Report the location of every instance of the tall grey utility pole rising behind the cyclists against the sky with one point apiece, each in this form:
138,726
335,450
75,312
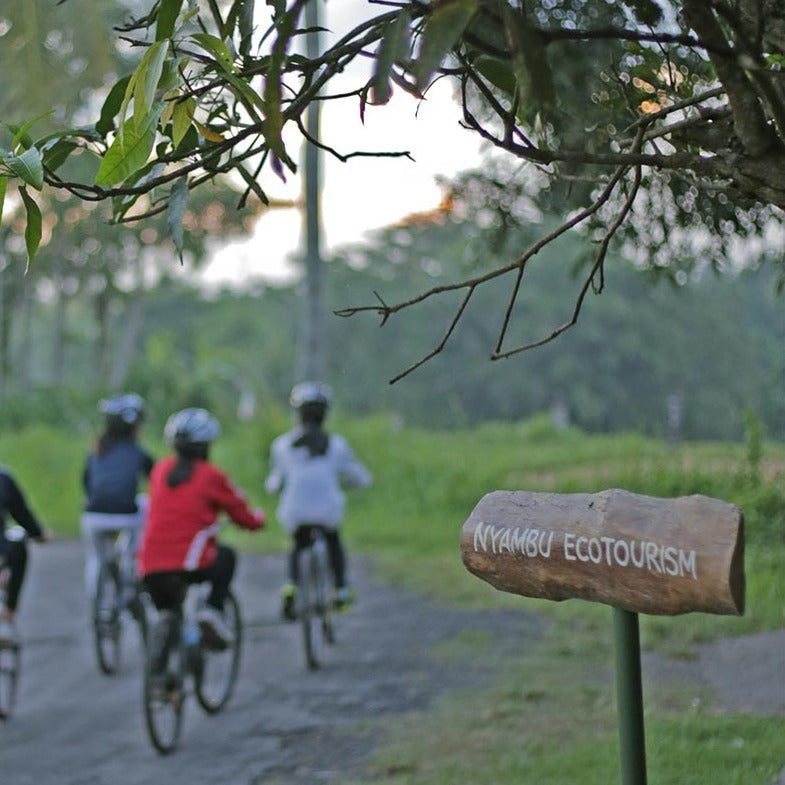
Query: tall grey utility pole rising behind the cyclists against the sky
312,348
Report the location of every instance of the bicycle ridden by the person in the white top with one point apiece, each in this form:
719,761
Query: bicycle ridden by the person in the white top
314,602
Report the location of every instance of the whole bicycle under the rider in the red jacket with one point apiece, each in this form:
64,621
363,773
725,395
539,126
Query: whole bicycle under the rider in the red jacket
190,665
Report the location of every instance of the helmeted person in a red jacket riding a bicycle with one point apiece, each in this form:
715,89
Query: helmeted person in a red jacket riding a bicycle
187,493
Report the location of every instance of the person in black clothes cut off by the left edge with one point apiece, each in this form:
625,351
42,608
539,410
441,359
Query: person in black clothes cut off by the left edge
13,552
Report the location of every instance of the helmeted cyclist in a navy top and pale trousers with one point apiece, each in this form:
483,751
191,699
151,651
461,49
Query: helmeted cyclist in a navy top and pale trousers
111,478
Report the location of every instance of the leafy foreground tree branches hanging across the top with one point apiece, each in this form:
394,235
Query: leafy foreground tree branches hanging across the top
654,122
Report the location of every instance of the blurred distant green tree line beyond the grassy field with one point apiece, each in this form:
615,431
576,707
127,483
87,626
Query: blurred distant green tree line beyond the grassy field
661,358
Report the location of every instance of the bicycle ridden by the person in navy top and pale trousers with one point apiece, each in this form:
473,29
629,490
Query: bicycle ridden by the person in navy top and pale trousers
115,592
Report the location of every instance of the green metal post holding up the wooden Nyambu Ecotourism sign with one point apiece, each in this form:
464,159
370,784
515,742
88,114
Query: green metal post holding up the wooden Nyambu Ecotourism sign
629,697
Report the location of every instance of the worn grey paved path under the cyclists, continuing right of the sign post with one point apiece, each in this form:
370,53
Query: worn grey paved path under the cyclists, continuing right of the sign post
284,725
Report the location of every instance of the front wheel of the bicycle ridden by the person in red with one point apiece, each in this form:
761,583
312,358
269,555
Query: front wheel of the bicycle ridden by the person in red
216,672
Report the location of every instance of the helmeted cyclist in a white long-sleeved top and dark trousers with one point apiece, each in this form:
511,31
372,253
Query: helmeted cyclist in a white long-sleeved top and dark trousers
307,466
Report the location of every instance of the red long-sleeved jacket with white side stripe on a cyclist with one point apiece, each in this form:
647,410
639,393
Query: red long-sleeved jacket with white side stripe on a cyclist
181,522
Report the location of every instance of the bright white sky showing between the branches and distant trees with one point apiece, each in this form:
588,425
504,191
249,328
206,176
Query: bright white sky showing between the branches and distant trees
362,194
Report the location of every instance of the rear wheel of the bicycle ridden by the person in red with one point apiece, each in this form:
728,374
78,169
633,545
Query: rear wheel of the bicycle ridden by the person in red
164,696
